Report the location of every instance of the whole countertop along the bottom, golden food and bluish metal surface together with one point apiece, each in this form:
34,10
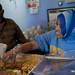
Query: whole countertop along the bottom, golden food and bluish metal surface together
33,64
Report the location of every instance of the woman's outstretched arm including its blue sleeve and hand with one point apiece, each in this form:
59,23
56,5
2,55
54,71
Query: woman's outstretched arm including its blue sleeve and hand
40,42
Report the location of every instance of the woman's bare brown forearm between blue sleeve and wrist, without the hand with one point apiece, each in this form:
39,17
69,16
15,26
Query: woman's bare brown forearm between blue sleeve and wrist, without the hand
26,47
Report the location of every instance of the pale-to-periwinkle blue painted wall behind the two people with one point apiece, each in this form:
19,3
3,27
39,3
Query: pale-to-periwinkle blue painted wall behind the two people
26,20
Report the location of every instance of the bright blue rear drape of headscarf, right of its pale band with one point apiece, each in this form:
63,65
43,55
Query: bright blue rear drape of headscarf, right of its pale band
71,23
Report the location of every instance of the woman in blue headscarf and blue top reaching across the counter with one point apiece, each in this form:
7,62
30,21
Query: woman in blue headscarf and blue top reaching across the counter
57,41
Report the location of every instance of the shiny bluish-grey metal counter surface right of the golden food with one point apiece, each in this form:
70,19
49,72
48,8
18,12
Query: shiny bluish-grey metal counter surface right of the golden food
51,67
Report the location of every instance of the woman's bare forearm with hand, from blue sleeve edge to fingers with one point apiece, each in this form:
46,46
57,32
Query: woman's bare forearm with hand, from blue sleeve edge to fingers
26,47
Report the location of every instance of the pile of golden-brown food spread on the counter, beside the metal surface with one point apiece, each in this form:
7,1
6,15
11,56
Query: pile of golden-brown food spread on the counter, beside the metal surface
22,65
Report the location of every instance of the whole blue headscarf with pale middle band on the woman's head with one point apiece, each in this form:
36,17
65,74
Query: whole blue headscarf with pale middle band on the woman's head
67,22
